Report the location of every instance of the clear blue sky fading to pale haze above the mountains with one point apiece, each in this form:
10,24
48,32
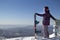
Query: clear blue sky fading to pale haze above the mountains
22,11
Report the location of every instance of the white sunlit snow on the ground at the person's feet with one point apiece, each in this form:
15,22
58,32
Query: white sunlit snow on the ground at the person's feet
51,37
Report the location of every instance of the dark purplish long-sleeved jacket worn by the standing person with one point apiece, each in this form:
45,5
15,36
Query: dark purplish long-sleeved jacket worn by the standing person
46,18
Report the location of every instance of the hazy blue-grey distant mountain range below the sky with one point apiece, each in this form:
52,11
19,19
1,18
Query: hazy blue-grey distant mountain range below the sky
21,31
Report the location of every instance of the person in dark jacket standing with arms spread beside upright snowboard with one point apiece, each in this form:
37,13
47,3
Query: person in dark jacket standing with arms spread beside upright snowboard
46,20
